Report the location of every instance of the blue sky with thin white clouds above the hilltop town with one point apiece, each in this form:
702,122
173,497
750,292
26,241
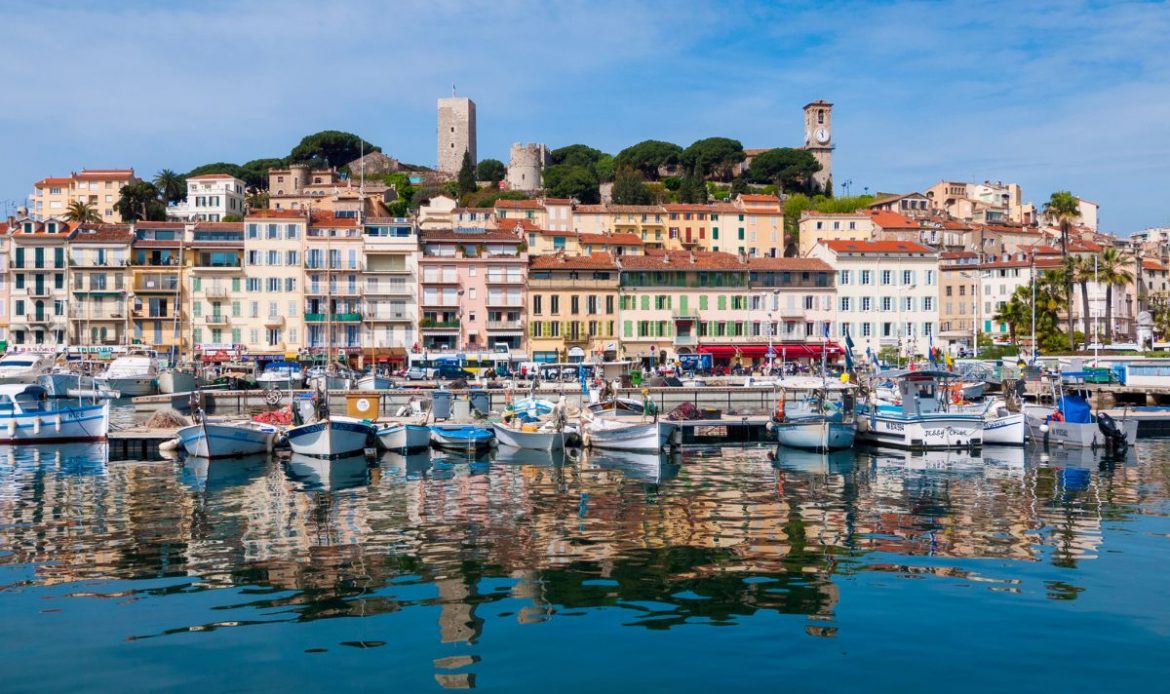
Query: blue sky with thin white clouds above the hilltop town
1051,95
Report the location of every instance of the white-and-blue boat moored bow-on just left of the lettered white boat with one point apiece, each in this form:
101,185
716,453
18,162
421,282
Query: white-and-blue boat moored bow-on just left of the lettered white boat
821,418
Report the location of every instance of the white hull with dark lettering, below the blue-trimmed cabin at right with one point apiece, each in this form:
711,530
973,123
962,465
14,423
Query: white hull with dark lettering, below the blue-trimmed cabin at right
927,432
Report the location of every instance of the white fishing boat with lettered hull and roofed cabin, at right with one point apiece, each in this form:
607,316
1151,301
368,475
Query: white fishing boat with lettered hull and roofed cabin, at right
919,415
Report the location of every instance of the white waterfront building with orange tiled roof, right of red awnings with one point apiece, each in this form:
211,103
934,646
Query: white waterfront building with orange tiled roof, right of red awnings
885,291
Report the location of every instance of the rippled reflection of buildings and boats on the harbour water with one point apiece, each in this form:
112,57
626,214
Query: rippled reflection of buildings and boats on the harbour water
706,538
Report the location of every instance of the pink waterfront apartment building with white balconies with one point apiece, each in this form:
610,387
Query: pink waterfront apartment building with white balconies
472,291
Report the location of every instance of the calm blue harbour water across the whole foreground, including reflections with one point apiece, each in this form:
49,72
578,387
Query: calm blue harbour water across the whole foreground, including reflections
720,568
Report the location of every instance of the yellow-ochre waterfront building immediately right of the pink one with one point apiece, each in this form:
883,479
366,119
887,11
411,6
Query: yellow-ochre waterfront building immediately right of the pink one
573,307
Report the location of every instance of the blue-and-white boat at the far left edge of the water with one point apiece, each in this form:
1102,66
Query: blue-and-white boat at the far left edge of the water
29,417
